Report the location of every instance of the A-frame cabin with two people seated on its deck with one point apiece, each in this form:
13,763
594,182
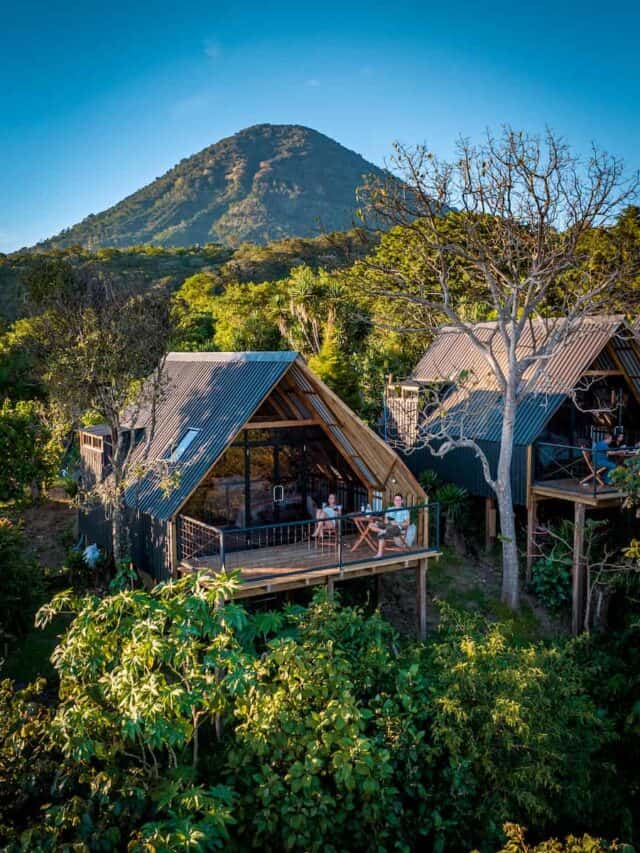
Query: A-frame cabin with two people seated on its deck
254,443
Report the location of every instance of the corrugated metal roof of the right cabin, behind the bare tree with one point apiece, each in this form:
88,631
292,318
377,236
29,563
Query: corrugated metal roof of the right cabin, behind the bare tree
478,410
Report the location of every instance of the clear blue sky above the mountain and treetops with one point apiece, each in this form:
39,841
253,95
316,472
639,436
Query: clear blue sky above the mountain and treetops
98,99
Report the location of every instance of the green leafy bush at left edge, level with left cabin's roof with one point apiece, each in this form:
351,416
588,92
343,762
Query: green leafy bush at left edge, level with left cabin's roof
29,455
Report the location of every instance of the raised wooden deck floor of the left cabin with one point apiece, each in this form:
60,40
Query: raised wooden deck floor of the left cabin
271,569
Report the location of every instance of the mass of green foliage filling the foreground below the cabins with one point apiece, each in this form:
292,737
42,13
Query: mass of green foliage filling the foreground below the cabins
186,723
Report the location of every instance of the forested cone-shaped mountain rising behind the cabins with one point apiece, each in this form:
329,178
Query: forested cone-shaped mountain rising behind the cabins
264,183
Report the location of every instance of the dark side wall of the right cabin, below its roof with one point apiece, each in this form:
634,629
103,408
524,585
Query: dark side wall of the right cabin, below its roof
463,468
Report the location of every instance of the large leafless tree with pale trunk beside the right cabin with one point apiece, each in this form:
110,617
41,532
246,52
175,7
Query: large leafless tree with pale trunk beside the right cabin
502,227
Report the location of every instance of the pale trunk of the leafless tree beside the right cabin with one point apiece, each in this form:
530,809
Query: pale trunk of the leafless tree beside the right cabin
510,565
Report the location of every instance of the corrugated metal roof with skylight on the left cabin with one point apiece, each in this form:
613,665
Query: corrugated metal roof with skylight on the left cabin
215,393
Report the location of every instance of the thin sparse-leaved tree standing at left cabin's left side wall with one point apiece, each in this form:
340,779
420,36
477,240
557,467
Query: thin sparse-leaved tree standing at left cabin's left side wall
106,341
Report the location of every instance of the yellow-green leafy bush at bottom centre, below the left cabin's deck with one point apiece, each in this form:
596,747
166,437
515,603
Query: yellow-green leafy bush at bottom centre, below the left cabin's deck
312,764
